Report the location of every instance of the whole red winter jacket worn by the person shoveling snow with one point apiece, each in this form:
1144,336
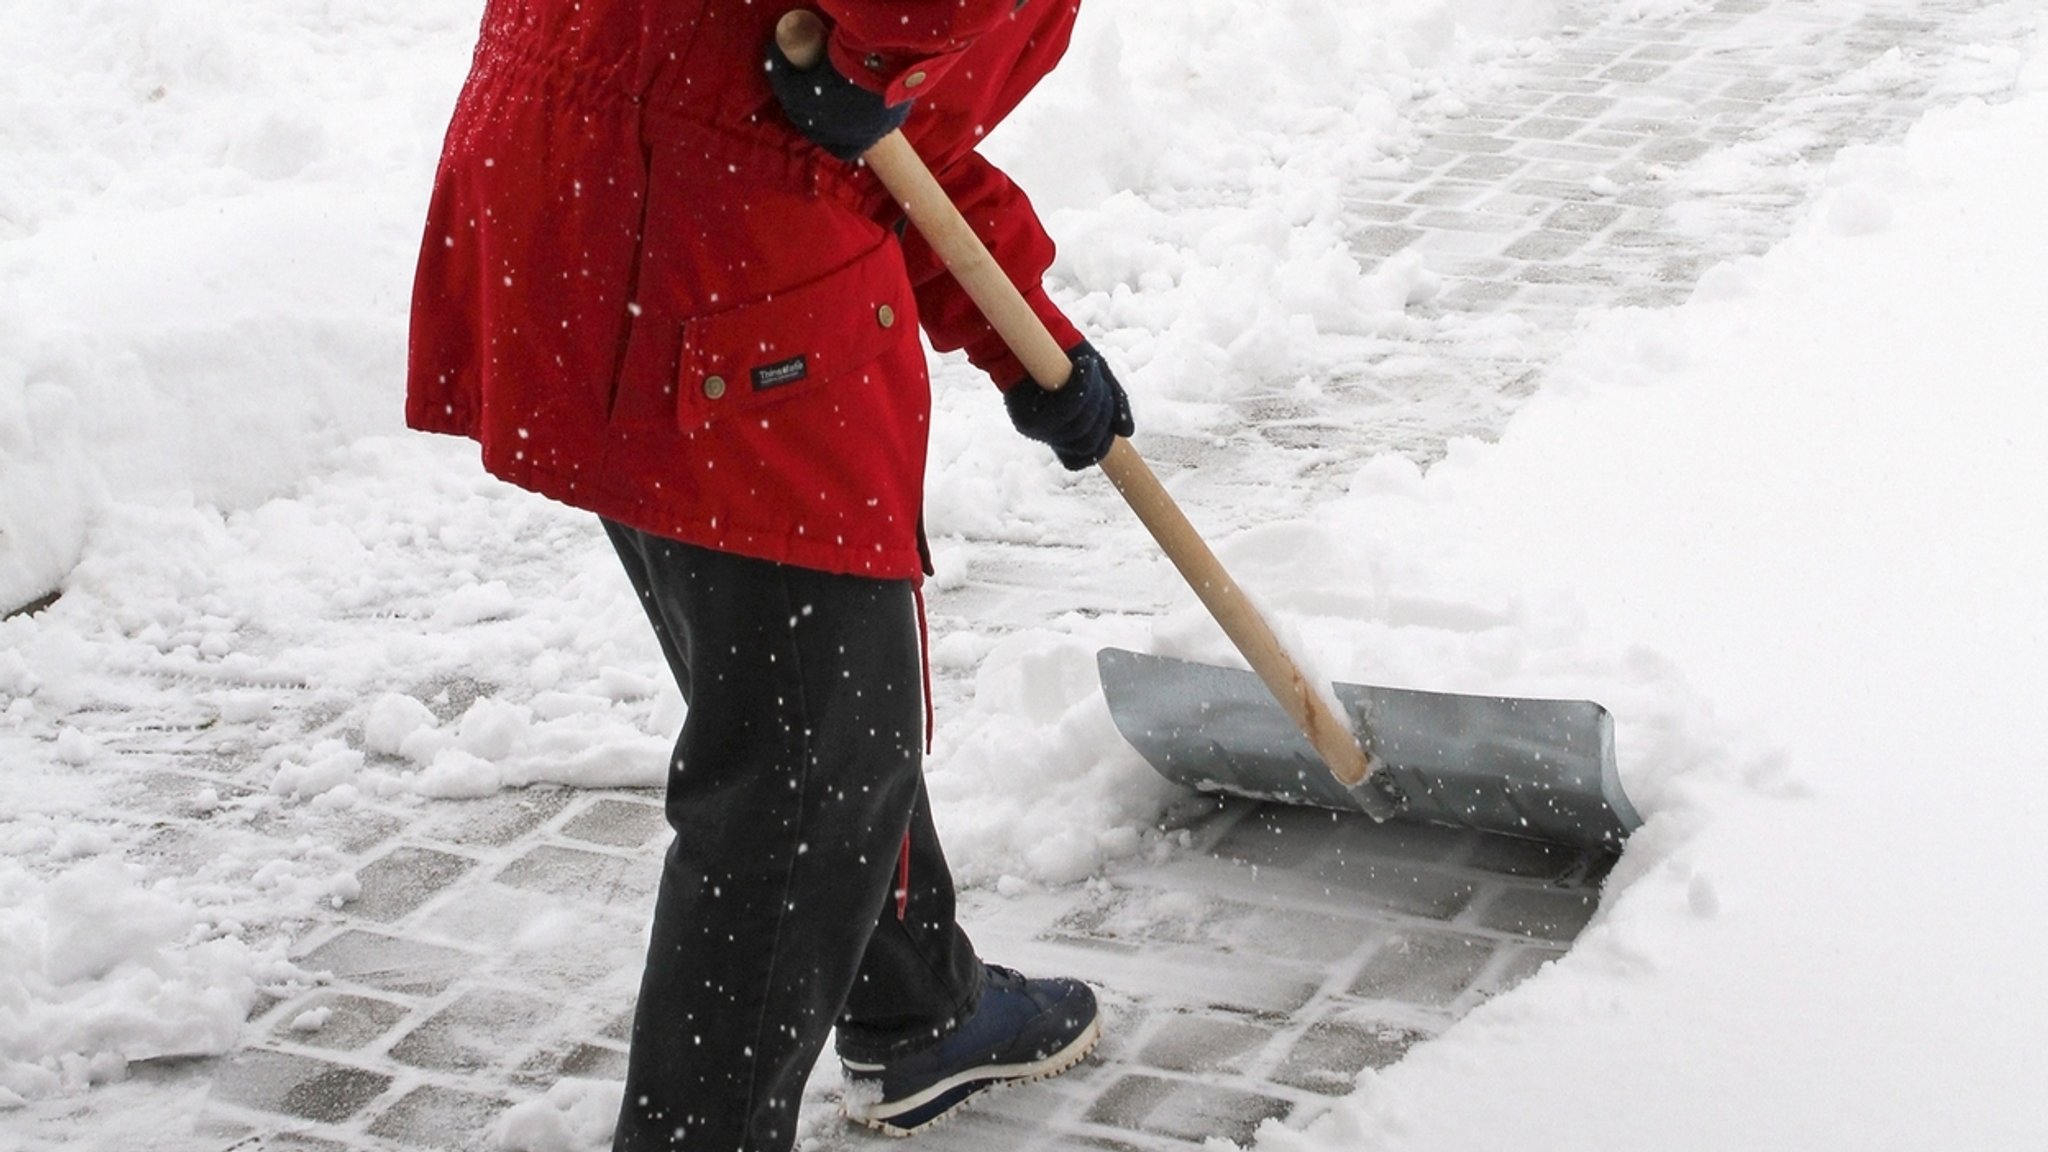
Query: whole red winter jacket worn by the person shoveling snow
648,296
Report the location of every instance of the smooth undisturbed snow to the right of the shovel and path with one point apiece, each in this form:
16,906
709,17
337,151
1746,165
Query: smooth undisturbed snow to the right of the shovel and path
1820,493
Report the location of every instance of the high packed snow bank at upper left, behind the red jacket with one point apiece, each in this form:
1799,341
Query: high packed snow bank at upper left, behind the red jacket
208,222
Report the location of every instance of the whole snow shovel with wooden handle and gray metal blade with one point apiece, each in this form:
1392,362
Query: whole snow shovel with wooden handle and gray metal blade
1248,743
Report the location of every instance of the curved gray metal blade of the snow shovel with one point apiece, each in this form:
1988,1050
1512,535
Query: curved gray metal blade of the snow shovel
1521,768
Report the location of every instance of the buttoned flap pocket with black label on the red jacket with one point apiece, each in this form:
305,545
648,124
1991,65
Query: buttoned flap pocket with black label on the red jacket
796,341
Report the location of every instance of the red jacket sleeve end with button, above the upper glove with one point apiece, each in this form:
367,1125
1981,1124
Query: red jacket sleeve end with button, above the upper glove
902,48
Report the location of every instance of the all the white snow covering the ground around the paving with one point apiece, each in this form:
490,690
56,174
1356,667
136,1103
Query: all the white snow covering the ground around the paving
1793,534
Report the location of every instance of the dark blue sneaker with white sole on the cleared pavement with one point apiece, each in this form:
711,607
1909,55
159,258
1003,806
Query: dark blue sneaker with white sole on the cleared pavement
1023,1030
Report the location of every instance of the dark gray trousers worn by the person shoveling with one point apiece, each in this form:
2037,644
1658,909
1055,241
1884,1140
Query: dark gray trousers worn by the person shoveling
792,792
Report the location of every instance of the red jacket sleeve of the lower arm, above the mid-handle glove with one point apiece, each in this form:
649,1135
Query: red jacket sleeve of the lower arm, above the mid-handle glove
1005,220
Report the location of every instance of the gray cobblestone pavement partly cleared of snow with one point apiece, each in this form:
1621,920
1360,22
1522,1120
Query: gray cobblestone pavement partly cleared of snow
1252,973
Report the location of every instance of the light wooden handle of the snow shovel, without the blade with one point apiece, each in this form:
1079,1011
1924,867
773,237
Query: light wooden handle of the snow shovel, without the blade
931,210
